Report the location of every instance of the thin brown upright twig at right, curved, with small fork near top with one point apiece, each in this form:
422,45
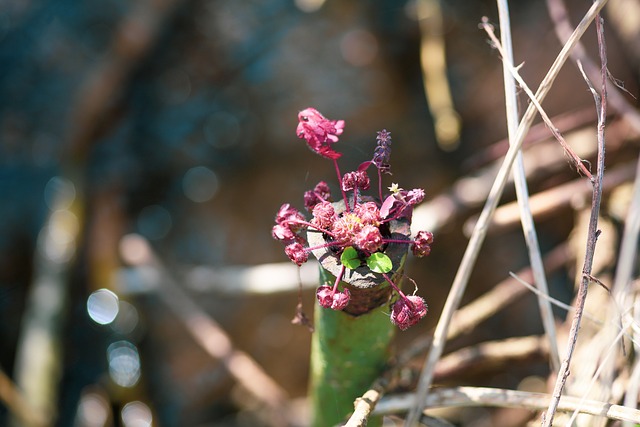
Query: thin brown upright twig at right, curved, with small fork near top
592,237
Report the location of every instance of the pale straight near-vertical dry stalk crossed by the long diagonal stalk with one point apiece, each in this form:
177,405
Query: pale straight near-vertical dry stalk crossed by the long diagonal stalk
522,191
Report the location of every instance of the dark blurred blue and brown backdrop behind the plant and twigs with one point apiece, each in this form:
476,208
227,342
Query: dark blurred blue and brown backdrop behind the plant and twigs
161,133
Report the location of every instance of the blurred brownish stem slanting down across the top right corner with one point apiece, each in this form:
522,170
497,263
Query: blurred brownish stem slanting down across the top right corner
560,17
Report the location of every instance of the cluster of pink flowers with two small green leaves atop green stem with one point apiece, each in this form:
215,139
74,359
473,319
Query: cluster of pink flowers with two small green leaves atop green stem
356,230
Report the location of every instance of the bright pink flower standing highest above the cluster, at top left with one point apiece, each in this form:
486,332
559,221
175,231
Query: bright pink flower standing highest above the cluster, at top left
319,132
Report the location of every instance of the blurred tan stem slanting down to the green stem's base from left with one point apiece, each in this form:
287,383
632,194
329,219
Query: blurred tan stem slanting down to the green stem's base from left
215,341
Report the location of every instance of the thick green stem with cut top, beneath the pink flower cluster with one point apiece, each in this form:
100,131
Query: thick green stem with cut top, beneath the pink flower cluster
350,348
